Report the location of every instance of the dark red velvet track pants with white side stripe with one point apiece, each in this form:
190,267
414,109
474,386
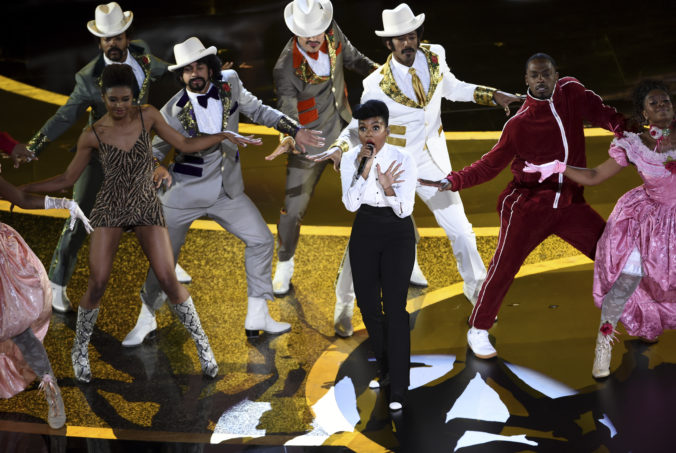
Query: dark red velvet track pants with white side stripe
524,224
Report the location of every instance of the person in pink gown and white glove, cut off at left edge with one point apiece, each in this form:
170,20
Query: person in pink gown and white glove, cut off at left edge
25,300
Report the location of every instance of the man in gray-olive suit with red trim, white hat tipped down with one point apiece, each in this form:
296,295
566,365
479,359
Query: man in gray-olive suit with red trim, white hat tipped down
310,87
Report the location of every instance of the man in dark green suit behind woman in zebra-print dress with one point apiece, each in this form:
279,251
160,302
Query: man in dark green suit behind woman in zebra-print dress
110,26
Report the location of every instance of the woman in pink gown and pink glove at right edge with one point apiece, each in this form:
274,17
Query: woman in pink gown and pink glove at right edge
635,264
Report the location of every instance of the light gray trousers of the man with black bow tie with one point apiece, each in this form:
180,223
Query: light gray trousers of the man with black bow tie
238,216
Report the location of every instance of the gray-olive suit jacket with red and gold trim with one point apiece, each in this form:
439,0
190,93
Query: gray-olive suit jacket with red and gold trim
319,103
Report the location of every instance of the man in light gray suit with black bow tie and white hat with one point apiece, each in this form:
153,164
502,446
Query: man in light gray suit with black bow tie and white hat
209,183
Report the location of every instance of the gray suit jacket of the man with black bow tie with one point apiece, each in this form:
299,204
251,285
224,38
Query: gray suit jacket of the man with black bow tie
198,178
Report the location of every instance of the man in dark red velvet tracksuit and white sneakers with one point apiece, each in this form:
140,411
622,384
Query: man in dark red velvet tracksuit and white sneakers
548,126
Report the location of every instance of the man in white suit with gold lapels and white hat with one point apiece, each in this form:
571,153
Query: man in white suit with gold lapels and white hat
412,83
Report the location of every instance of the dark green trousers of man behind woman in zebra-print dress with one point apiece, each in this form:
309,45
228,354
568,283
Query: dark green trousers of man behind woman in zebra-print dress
84,192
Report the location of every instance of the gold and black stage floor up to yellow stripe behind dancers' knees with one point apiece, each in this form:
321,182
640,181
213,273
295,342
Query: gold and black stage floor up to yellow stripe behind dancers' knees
309,388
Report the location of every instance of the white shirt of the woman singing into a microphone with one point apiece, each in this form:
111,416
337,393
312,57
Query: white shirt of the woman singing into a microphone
358,191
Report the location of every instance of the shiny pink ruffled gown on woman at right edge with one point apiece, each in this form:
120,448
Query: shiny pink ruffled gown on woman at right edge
643,218
